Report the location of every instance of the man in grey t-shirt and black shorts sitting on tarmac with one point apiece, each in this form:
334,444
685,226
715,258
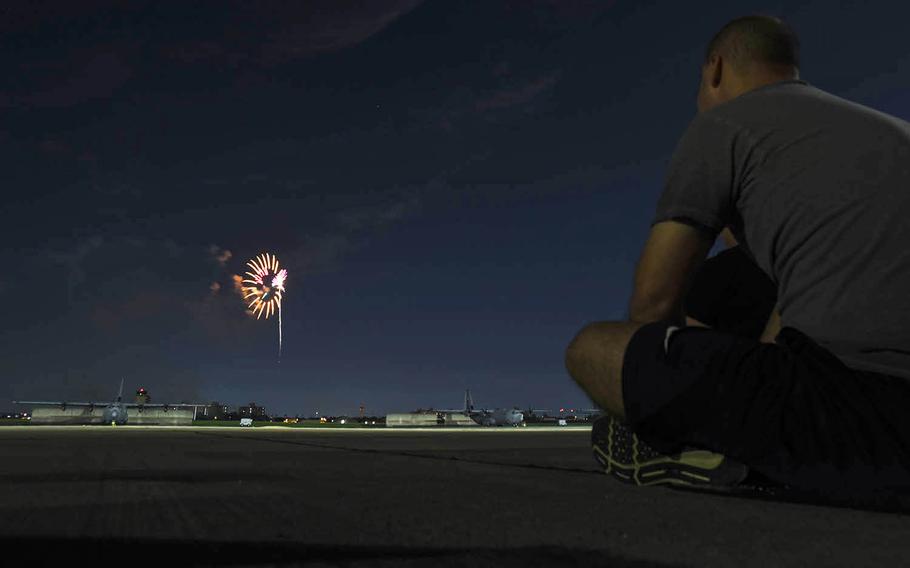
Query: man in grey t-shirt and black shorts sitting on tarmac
816,191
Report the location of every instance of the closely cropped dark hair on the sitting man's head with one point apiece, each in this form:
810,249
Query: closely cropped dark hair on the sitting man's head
756,39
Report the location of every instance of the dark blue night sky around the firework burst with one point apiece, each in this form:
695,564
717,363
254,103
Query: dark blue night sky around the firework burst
455,187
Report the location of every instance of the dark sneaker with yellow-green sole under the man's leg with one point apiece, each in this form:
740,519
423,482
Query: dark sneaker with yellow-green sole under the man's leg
627,458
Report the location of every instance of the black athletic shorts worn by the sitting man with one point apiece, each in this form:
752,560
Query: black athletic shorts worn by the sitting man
791,410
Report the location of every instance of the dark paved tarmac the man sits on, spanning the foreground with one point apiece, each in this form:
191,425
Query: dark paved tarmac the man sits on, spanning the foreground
500,497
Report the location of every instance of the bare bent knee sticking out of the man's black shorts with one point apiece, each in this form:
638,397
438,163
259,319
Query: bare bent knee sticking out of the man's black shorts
594,359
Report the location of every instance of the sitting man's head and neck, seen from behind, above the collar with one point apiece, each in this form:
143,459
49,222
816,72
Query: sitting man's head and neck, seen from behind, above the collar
745,54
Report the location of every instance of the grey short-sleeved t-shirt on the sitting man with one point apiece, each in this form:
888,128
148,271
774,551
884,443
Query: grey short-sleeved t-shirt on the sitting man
817,190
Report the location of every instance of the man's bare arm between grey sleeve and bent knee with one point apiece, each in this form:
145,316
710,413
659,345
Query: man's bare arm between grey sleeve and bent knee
672,255
